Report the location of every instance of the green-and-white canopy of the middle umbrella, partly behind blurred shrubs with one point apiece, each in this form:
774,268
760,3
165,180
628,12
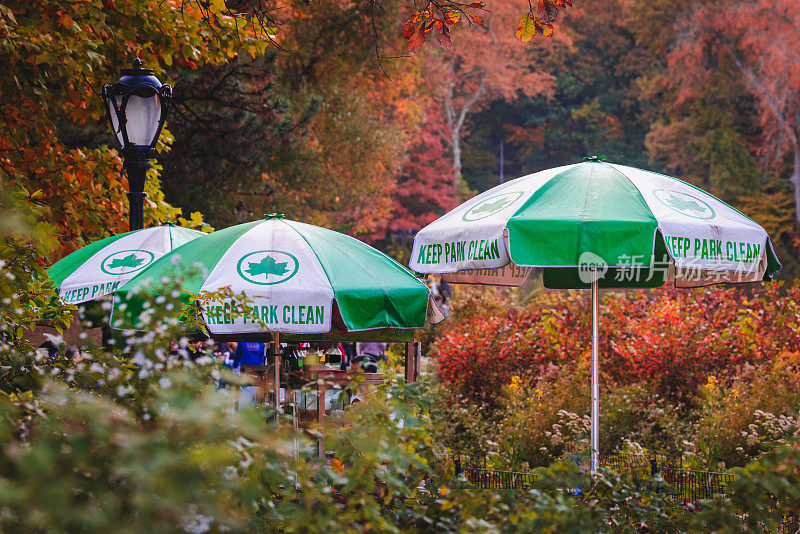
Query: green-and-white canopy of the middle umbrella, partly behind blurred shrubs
301,279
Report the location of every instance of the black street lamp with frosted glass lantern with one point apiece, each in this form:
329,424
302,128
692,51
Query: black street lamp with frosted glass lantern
137,105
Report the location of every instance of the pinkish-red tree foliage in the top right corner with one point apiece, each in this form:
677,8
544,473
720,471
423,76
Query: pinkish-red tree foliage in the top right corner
759,39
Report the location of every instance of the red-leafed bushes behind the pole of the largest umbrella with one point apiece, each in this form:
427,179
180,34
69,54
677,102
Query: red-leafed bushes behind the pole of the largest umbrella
671,340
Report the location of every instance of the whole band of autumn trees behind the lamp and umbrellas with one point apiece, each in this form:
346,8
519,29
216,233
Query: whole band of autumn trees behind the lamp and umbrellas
319,110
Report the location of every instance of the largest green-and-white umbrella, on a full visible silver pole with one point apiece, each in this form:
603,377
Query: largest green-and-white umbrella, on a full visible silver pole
596,224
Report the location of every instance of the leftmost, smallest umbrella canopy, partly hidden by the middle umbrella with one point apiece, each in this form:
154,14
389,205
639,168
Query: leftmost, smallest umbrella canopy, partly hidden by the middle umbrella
102,267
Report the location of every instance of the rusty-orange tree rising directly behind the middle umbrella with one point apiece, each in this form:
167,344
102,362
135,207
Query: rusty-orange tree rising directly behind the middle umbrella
343,164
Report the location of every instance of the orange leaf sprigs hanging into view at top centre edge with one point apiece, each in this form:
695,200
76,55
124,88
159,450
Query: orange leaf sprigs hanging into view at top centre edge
441,15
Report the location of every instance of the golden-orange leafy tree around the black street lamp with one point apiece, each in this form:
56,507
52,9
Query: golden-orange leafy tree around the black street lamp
55,57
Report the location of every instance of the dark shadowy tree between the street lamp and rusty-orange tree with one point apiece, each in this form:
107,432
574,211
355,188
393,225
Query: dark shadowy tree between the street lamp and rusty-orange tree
228,121
